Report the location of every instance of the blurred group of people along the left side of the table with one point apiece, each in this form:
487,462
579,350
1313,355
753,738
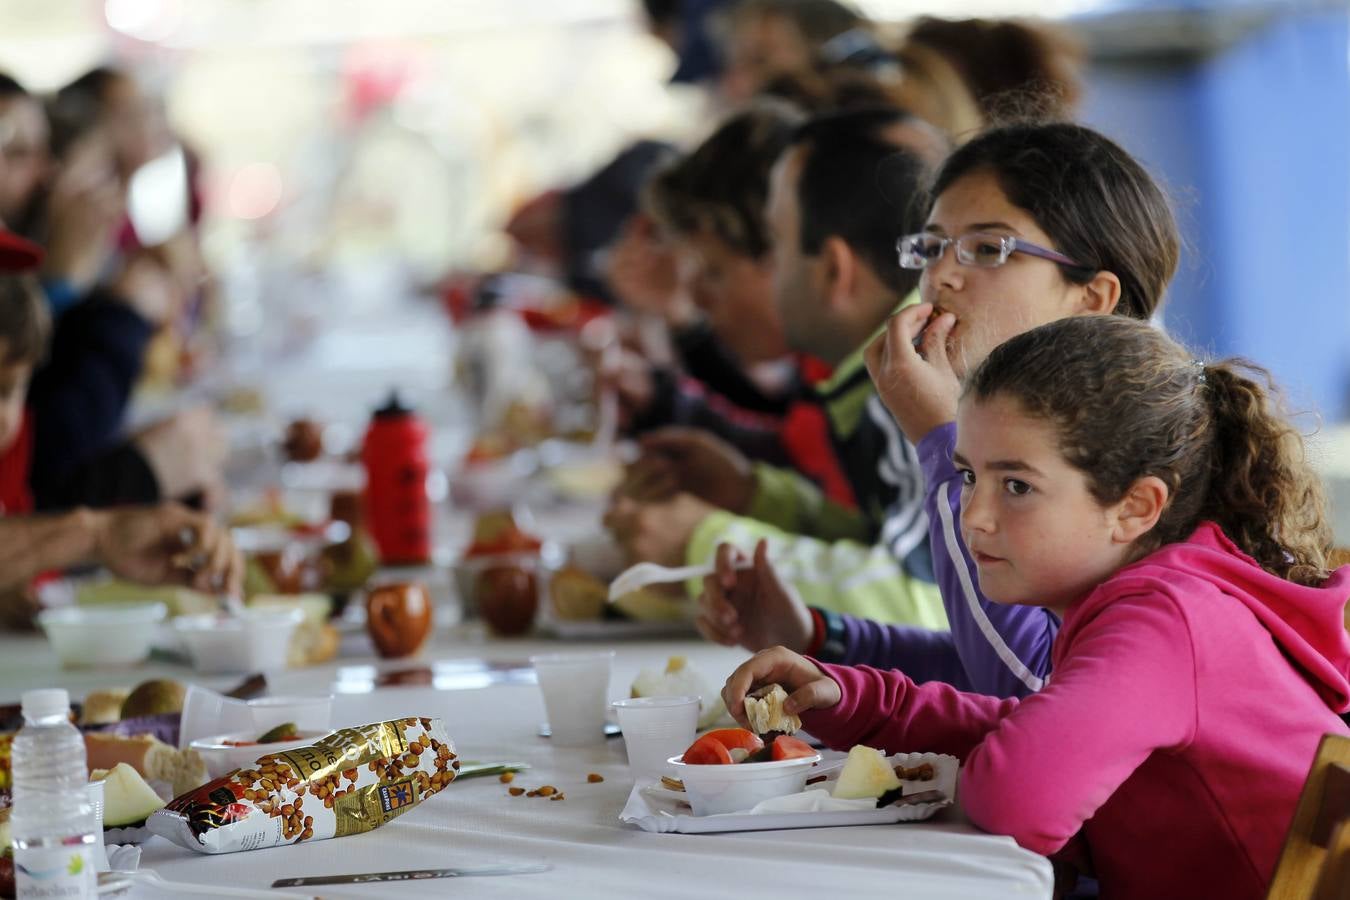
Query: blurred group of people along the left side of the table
103,289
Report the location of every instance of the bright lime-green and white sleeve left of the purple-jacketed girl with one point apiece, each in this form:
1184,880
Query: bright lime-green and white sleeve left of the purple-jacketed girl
844,577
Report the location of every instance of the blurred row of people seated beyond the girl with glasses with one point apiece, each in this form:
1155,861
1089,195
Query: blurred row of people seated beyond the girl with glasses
750,272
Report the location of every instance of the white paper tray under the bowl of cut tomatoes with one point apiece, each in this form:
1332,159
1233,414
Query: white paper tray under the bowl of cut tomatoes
661,812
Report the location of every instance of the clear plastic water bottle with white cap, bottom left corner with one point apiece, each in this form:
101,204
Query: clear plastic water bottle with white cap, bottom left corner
52,824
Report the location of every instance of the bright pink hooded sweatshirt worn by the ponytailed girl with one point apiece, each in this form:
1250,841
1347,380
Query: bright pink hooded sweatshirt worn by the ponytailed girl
1187,701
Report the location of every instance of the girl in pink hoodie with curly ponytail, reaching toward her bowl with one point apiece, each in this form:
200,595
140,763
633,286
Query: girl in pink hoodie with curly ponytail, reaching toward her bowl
1166,512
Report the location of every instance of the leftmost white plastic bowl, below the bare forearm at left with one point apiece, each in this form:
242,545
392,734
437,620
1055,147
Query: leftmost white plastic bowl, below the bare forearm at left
103,636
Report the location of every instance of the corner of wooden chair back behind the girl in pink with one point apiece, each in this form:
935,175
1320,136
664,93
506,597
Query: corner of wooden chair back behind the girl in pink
1316,860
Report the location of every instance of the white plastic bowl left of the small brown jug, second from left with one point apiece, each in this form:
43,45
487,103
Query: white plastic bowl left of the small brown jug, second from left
253,642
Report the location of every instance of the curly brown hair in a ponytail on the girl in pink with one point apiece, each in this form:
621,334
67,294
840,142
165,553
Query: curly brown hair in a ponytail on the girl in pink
1129,403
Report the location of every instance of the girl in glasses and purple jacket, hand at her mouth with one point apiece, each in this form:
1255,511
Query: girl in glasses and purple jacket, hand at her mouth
1029,225
